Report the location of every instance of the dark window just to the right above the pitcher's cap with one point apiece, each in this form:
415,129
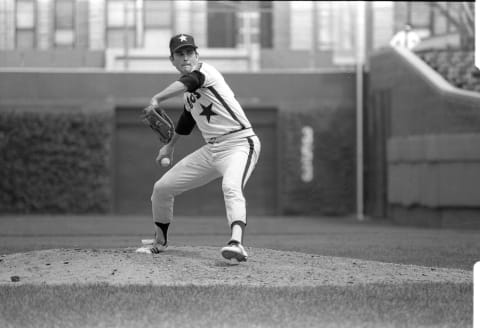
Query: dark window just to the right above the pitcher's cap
221,24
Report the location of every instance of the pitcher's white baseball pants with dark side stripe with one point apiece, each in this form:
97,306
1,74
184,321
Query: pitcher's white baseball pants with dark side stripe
233,159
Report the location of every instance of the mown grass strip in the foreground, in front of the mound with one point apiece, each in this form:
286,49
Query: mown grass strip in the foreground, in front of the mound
101,305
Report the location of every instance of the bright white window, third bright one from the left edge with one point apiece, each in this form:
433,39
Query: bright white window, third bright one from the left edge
121,24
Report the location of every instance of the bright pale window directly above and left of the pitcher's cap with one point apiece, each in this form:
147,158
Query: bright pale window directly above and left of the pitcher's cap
157,17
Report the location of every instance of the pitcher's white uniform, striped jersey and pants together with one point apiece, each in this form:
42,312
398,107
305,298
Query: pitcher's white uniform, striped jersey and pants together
231,150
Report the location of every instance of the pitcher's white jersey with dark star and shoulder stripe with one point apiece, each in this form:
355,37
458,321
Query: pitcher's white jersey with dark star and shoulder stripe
213,105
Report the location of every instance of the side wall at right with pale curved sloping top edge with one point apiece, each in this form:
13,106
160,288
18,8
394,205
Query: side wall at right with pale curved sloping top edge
431,135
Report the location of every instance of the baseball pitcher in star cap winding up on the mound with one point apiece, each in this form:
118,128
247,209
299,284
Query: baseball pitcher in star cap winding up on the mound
230,152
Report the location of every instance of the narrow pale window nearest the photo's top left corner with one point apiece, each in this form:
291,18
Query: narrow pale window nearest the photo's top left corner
25,24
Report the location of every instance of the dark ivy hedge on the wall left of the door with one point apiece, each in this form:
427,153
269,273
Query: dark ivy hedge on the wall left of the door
55,159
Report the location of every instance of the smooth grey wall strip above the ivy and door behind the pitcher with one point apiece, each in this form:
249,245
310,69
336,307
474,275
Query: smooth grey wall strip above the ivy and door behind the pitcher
283,90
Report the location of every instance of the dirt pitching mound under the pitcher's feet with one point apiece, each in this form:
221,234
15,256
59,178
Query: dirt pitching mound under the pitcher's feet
185,265
